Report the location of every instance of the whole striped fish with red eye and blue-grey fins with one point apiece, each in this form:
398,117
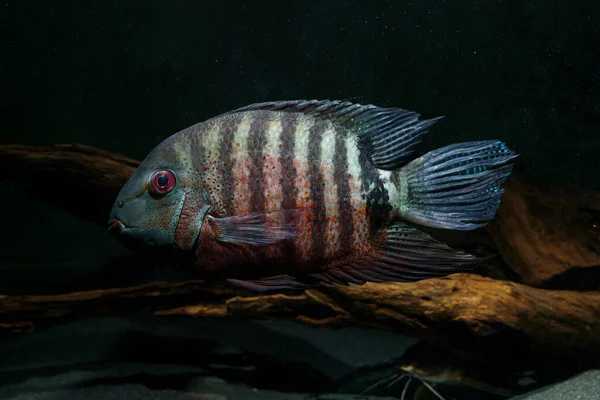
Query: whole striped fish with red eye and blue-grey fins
301,193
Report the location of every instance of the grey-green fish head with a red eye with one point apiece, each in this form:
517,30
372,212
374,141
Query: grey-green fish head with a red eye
162,205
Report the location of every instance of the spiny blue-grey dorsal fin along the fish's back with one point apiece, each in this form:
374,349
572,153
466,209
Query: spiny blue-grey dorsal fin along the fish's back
387,135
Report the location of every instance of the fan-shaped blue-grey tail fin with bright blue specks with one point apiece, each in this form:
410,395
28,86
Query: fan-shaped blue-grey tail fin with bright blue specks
457,186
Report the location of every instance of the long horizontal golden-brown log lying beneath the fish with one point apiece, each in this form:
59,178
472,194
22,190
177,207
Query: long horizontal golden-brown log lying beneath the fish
457,312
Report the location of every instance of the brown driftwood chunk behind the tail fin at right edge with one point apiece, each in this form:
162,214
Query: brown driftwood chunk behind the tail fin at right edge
541,233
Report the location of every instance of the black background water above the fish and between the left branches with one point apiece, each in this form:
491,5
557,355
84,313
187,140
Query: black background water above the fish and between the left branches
123,75
